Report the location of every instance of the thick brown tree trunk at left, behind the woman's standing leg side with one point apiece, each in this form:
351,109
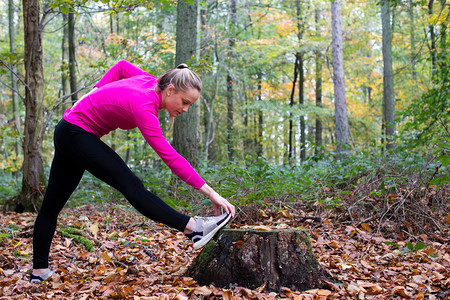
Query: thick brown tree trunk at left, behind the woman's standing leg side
32,181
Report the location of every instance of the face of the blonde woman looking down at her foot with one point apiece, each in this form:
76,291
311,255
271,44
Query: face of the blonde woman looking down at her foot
178,102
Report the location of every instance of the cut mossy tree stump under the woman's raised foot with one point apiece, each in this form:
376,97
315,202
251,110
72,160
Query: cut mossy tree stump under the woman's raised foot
251,258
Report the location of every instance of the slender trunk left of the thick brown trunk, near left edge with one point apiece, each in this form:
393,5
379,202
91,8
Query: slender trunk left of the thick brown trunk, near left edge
12,49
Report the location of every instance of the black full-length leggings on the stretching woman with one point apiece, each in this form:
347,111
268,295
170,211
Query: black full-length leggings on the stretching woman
76,150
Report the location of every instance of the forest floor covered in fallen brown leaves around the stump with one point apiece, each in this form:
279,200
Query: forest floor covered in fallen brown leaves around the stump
134,258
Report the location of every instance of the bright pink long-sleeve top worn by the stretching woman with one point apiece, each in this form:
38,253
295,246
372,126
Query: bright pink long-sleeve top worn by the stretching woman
126,99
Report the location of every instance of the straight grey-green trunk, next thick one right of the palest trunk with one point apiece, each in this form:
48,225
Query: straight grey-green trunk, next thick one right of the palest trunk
388,76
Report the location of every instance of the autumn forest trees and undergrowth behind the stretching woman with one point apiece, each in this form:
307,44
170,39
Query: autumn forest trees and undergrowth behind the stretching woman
266,125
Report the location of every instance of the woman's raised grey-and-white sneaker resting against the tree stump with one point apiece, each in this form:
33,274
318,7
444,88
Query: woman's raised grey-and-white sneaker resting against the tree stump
206,228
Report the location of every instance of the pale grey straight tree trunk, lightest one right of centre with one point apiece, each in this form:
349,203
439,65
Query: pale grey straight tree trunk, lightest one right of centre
340,105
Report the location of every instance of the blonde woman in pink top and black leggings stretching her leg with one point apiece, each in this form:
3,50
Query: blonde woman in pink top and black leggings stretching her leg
126,97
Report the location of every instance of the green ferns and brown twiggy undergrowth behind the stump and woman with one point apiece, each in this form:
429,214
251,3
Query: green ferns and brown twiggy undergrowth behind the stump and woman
396,192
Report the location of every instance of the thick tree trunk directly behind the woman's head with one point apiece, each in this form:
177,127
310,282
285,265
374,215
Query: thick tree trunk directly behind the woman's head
185,130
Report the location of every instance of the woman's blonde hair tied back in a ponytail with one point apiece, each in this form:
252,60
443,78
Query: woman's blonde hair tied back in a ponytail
181,77
